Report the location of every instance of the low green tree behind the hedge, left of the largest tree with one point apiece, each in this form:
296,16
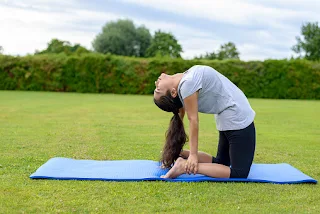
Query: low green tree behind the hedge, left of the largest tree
56,46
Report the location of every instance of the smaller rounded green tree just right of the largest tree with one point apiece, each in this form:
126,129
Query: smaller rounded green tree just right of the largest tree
164,44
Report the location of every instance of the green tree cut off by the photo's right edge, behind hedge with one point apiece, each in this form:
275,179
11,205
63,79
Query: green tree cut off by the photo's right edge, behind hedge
309,44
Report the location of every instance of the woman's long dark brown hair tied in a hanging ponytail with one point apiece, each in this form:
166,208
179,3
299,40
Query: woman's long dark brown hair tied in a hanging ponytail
175,136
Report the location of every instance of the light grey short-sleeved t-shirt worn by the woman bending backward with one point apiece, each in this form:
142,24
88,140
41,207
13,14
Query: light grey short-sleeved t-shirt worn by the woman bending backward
218,96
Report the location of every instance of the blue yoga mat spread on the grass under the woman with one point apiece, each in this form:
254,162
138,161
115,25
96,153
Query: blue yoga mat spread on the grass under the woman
147,170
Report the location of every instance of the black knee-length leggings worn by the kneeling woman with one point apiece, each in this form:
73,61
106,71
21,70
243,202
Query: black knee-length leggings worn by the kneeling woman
236,149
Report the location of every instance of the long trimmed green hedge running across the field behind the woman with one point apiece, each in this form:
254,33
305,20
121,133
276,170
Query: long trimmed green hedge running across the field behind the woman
96,73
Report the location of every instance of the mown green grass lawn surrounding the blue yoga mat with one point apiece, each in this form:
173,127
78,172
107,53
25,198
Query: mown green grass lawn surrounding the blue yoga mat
36,126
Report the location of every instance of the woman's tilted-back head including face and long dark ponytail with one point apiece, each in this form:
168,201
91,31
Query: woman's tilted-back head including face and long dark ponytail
167,99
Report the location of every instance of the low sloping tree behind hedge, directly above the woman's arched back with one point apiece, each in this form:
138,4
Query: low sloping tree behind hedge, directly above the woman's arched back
226,51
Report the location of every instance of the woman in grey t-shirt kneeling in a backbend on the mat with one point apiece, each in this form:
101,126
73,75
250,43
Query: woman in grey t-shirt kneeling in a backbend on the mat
203,89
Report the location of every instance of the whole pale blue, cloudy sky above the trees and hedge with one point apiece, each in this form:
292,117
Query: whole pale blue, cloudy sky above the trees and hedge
260,29
